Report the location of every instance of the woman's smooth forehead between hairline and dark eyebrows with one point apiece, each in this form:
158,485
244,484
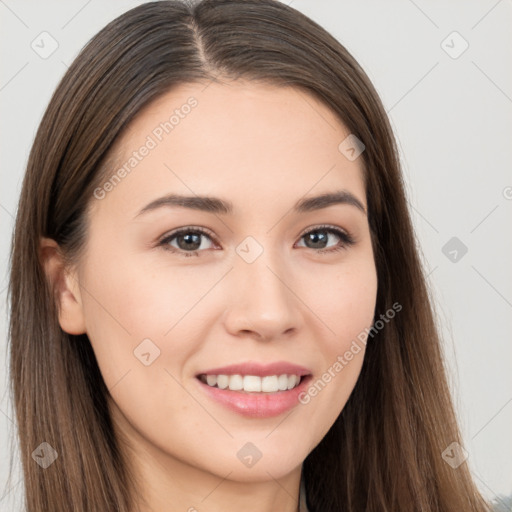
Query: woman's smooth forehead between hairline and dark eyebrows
246,140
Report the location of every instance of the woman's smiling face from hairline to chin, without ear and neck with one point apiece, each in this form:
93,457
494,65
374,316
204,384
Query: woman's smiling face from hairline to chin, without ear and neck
253,287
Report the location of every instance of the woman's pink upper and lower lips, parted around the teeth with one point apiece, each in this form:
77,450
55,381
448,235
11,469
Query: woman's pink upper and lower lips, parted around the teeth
257,405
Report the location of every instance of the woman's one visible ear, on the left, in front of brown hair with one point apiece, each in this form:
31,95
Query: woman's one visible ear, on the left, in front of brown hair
65,285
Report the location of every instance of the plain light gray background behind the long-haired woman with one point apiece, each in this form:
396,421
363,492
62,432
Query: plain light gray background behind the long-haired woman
452,118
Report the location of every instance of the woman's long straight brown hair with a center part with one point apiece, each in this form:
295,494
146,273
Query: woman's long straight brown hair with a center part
384,451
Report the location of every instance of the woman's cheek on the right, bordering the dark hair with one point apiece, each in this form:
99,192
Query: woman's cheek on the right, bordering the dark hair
345,304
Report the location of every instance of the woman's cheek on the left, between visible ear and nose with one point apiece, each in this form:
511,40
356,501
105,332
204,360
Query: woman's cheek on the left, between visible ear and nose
131,300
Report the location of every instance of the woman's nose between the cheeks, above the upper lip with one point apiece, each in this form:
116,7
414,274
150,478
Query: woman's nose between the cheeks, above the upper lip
261,301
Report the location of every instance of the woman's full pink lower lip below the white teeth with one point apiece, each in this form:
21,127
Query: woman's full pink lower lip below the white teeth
257,405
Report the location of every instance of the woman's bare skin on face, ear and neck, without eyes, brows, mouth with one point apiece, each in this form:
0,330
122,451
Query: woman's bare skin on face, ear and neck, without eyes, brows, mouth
263,148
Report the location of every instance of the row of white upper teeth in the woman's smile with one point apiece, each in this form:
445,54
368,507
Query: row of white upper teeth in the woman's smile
252,383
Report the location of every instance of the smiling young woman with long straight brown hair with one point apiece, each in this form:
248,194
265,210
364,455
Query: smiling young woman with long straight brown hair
269,371
